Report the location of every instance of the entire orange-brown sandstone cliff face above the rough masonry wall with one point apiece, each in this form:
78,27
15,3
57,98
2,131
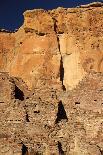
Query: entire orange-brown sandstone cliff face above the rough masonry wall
34,52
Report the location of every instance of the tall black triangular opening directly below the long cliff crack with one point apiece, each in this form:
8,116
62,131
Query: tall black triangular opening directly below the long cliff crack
61,113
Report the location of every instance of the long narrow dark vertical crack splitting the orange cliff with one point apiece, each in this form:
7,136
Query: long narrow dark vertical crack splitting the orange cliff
61,61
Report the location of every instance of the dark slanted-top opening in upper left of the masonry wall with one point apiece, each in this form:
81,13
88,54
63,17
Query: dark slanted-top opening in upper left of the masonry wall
18,94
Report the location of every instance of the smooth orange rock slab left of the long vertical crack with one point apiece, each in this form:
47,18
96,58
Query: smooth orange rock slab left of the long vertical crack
38,59
